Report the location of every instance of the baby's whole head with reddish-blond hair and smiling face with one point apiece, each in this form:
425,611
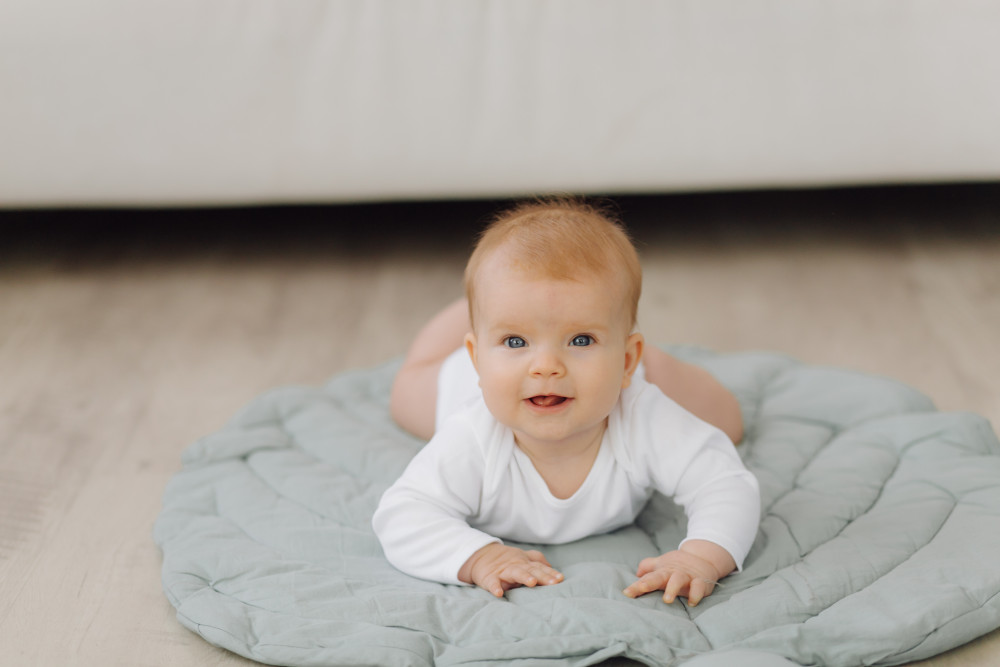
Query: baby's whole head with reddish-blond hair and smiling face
553,288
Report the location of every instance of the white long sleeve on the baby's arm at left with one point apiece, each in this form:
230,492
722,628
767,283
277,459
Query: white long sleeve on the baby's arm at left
422,519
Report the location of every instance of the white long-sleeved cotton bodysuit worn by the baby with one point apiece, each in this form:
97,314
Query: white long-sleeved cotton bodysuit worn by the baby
471,484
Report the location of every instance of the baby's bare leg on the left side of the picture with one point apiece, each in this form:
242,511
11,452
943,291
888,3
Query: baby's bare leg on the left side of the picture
413,400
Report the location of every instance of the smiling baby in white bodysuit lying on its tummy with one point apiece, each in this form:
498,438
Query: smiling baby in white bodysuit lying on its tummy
563,437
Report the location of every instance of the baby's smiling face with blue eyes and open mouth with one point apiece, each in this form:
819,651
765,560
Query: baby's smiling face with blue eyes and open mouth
552,355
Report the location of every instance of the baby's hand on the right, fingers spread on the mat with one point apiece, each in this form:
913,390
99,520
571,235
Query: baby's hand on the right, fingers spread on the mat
691,573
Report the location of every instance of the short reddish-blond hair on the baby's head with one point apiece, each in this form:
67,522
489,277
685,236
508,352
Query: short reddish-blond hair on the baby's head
561,238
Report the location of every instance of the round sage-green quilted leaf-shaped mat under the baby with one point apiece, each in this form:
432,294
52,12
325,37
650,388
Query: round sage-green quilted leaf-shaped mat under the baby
879,539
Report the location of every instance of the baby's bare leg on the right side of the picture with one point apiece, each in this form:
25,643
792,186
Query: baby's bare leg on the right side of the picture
696,390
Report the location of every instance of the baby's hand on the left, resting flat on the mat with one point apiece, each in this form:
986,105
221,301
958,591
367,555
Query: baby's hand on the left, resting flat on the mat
498,568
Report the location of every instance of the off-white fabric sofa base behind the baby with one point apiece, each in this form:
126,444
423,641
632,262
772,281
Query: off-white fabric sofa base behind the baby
195,102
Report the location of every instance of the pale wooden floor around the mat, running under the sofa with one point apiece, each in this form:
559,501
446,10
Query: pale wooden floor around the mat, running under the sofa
124,336
